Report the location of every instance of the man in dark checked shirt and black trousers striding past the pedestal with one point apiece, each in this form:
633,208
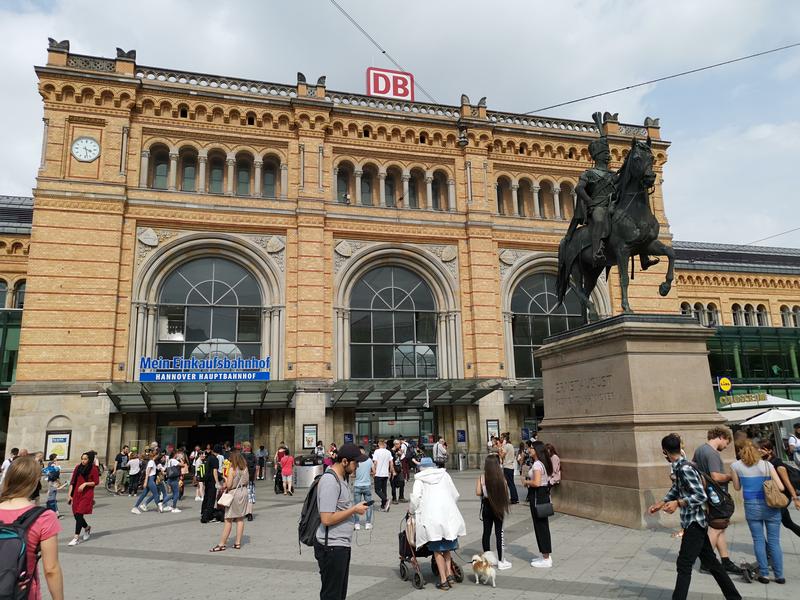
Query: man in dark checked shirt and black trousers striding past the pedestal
688,494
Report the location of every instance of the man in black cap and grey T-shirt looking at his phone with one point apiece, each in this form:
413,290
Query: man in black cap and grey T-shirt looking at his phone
335,533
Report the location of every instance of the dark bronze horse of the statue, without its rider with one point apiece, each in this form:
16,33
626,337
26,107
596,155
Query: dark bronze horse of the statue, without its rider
634,230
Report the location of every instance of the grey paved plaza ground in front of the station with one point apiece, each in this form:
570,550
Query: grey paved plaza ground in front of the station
166,556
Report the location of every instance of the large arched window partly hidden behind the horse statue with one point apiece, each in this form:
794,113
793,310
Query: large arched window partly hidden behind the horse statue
536,315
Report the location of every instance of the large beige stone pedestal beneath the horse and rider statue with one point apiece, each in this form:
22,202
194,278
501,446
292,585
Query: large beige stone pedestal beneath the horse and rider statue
612,390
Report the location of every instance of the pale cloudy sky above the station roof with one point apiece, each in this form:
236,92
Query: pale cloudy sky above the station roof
735,131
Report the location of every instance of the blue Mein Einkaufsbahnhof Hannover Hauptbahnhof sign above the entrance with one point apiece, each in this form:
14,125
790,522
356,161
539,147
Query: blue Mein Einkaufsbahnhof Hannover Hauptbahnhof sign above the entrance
179,369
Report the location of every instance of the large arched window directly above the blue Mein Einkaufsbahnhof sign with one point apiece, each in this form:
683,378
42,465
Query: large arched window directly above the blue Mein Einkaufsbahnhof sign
208,308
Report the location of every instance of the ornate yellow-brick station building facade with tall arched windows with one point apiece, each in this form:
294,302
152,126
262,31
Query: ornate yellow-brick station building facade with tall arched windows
394,261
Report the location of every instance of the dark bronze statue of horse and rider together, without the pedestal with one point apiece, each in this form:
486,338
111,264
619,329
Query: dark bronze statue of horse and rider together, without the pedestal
612,223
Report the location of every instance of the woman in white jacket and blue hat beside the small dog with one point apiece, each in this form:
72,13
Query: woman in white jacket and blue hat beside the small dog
437,518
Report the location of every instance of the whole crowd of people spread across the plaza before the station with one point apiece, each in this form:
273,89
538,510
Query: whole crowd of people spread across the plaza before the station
224,479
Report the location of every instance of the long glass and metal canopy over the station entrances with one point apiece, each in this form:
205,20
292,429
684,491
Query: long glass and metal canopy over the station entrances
355,393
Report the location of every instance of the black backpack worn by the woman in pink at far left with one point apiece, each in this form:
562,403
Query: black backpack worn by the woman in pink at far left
15,581
